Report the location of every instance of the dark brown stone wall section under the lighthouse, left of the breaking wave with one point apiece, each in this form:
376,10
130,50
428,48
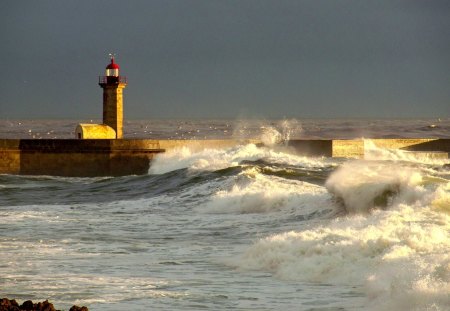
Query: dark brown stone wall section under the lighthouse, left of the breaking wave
80,158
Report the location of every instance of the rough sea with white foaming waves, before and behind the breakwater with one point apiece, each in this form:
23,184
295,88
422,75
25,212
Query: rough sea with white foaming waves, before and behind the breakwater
243,228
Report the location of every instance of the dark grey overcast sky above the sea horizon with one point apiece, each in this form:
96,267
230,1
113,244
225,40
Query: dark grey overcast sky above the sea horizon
227,58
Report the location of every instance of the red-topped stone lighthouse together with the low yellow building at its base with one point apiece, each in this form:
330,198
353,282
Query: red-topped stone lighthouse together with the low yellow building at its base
112,84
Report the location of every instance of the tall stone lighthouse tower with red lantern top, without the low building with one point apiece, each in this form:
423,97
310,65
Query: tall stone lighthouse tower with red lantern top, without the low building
113,84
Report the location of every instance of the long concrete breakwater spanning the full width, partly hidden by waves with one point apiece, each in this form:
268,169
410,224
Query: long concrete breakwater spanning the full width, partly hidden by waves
118,157
